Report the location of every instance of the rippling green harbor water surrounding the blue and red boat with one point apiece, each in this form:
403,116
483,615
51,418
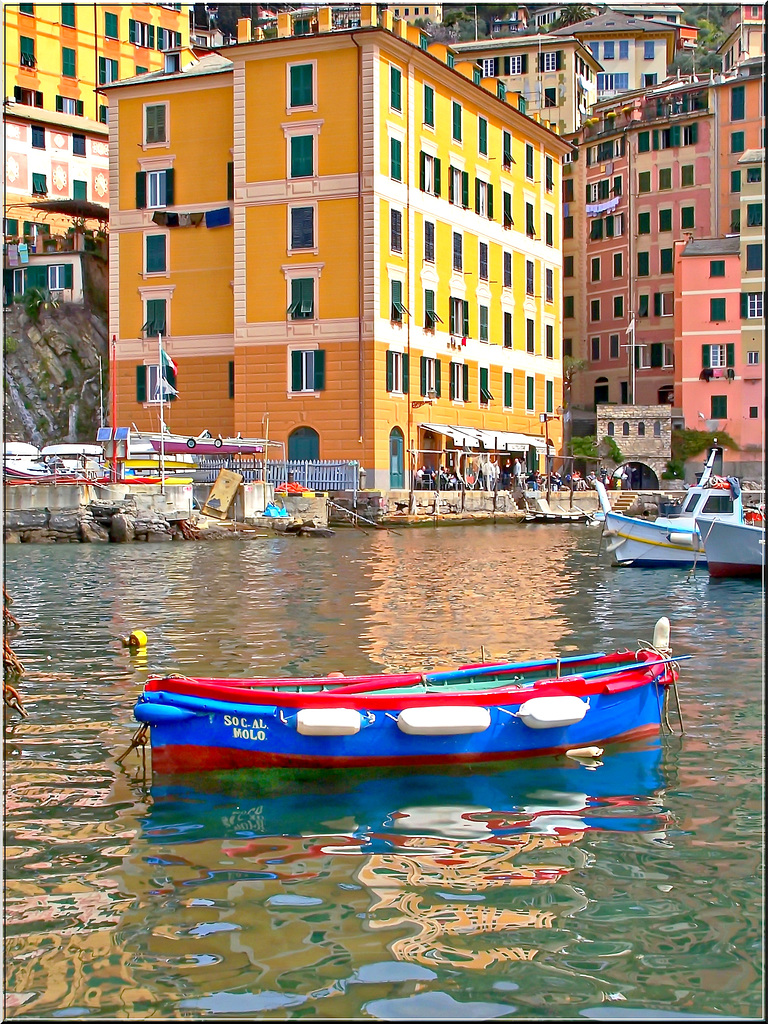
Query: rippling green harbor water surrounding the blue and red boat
629,888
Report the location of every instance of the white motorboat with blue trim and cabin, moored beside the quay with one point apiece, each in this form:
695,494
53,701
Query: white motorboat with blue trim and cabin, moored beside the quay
673,540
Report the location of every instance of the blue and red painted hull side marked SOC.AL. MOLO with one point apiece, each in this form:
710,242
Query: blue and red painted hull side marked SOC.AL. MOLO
192,734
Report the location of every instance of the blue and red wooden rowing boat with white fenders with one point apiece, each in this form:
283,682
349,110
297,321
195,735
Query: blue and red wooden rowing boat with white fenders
478,713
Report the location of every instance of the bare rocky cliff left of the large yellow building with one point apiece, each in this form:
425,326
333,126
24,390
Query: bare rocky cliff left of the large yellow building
56,373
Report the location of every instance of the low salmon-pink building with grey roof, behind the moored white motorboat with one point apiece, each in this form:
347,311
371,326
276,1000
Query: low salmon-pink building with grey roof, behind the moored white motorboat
713,385
